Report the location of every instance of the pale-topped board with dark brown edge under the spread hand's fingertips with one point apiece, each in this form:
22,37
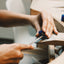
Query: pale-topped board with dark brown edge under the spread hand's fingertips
54,40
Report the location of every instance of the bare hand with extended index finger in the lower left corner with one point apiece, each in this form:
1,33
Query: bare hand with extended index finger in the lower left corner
11,53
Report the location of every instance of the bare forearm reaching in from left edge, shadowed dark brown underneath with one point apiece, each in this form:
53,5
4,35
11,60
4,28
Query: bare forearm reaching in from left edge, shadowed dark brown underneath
9,19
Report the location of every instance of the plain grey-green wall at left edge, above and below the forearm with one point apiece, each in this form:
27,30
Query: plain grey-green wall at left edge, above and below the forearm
5,32
